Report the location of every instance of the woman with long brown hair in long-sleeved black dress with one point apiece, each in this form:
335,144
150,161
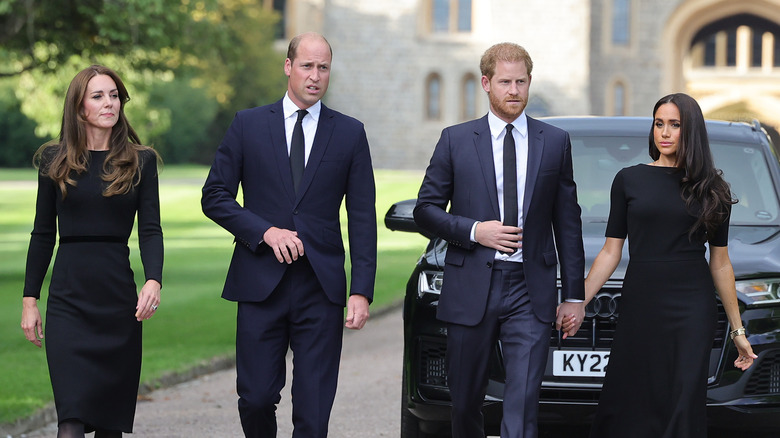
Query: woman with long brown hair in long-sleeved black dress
91,184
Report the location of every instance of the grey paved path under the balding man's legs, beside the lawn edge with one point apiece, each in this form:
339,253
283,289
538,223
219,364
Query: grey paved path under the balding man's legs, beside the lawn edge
367,402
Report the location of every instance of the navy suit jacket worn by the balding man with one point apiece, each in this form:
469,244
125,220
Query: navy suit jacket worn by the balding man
254,154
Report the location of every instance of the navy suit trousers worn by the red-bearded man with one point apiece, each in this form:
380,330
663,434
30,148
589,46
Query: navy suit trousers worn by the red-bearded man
524,338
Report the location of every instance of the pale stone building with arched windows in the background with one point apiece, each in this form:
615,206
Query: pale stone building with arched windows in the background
408,68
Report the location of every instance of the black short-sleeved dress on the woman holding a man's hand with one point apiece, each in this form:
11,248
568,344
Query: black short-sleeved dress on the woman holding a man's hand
656,383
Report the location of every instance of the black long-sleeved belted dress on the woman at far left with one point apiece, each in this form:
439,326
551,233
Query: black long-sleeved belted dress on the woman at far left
92,338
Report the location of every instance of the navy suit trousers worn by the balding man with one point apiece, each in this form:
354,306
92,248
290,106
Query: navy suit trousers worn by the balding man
297,315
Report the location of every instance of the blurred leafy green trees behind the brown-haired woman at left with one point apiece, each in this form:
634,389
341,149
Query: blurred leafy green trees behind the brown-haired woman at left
219,53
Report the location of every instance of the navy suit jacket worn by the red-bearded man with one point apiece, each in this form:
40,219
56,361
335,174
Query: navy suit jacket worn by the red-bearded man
461,174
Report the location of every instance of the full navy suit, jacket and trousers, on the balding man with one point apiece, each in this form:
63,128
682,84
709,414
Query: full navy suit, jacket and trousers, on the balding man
301,304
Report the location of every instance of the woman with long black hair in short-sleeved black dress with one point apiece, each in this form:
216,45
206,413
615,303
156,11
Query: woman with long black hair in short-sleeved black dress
656,383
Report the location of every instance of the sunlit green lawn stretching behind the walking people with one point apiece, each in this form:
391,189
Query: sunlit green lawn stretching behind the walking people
193,323
